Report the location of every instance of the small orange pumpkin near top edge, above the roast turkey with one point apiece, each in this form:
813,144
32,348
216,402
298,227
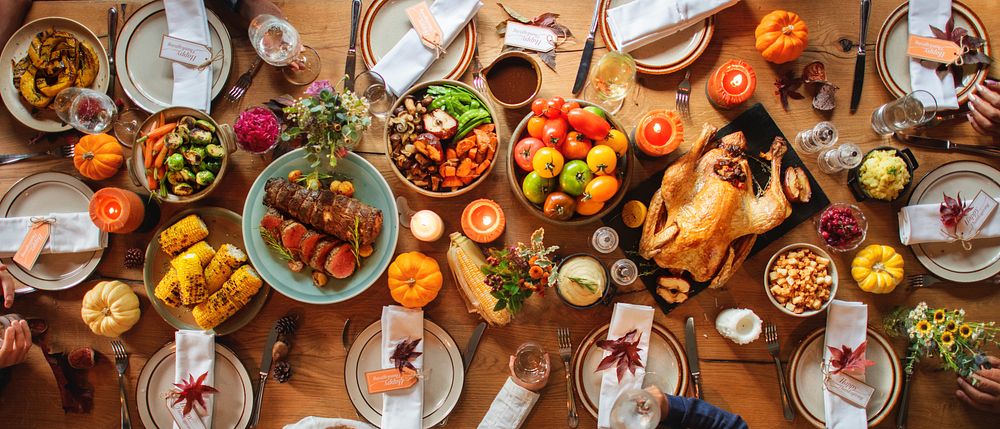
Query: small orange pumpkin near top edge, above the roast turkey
781,36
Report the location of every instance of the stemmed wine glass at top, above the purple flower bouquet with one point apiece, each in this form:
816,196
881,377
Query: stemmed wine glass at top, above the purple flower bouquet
278,43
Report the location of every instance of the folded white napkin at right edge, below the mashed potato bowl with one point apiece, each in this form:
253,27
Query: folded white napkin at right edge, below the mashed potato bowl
922,224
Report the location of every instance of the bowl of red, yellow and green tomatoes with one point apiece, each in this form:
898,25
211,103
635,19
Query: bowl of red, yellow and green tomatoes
569,161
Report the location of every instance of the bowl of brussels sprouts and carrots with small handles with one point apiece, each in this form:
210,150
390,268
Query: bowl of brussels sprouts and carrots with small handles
181,154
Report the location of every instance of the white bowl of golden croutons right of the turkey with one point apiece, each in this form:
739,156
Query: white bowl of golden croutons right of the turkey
801,280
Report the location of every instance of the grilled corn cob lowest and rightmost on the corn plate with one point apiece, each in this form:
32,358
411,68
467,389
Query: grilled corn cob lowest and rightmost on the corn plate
234,294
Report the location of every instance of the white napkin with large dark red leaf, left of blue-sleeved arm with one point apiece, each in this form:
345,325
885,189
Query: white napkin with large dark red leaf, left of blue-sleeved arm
625,318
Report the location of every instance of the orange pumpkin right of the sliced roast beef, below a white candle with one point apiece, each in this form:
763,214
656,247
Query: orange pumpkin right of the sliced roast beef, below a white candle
414,279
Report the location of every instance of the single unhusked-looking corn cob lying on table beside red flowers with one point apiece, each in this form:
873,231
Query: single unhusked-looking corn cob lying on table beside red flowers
466,261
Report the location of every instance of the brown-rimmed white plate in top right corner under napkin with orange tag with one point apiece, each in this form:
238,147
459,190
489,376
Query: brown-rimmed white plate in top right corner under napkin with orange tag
893,64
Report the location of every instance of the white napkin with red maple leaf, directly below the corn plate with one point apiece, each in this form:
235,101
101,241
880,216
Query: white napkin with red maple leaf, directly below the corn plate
196,356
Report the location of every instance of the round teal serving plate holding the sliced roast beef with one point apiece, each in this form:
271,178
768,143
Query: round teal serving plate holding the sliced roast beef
369,187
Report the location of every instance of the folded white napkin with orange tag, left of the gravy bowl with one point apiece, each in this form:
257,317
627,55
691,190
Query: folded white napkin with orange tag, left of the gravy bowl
409,59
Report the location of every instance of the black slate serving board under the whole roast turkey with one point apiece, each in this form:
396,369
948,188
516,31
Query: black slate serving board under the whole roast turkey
760,130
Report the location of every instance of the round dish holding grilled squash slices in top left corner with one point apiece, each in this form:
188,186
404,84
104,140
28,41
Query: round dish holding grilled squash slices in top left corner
17,47
